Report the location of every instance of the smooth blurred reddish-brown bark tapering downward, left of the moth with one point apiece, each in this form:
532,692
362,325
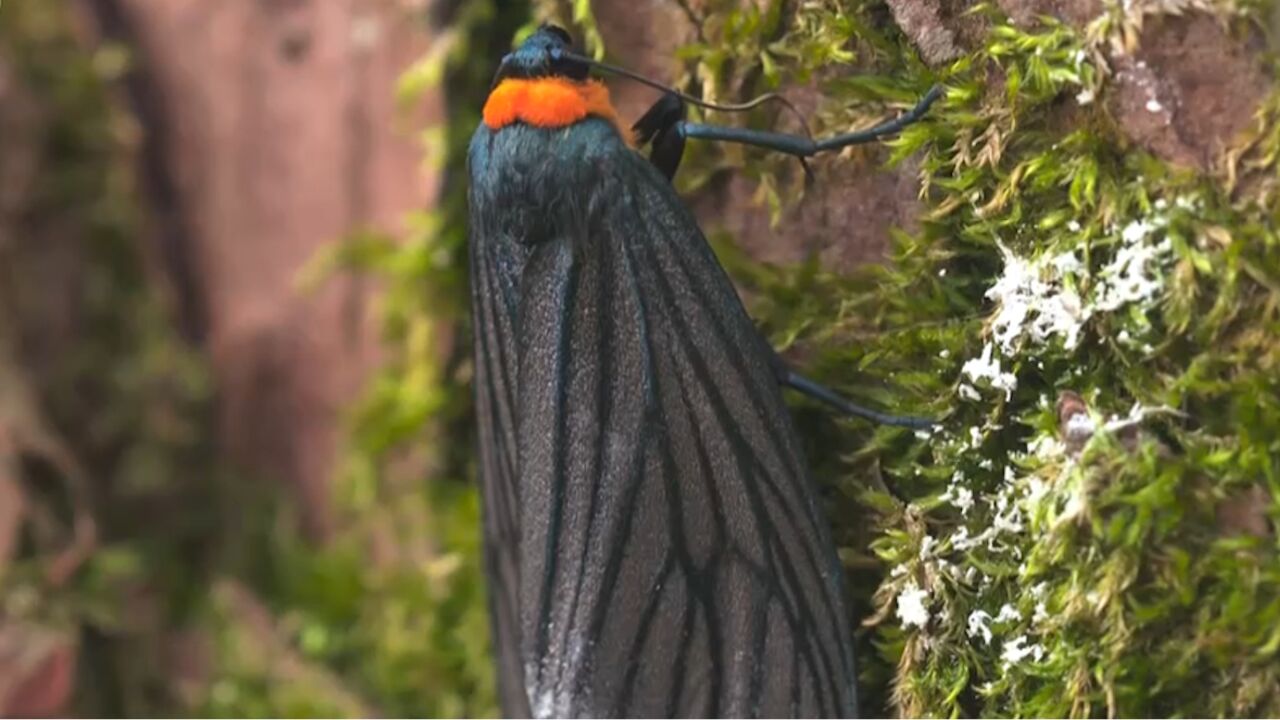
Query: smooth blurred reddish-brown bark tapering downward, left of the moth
280,135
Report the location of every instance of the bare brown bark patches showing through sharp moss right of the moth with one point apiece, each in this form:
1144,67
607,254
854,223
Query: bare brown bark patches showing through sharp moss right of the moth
1185,94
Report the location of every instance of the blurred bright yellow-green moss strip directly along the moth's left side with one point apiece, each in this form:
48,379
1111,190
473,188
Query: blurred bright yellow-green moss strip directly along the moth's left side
408,631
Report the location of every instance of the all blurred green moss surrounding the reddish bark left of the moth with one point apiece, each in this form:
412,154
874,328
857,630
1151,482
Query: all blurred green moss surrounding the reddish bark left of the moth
387,619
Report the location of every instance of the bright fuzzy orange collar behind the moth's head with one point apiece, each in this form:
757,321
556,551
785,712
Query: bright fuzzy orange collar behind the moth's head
550,103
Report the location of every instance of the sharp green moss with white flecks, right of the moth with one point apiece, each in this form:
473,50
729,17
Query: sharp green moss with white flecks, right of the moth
1112,584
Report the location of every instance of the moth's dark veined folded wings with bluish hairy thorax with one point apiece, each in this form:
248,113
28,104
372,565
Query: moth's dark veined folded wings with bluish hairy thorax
671,558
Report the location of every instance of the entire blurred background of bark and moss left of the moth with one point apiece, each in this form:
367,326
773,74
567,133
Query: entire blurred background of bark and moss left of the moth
235,470
